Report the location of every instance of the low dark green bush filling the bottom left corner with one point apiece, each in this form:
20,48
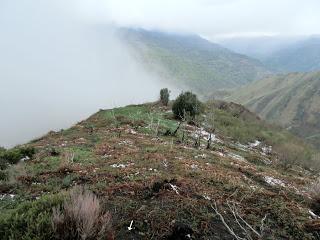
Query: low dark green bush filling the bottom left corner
29,220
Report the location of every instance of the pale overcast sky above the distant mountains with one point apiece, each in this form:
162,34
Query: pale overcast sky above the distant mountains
220,18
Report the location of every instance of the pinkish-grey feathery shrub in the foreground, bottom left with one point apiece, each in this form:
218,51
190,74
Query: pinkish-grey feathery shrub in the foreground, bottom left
81,217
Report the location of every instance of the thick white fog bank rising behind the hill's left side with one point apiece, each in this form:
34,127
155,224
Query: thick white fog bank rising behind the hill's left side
58,65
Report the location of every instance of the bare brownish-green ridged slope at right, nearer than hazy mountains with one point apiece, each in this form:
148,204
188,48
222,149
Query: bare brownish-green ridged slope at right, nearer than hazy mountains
291,100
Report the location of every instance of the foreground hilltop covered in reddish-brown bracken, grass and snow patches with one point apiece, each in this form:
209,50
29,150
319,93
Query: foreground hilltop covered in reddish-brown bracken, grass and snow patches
160,185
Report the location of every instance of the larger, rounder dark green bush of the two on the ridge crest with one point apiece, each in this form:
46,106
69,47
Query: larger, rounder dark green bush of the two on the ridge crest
187,103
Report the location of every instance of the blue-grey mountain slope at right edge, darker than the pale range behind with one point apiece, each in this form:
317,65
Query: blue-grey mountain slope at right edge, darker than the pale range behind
303,56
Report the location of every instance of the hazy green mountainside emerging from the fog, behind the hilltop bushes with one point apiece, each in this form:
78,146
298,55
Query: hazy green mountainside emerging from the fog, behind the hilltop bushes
192,61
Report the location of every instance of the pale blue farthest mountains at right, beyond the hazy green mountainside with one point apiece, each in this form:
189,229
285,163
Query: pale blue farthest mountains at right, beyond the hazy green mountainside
280,54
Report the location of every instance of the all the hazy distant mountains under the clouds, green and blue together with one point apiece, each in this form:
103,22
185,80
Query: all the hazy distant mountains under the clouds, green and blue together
203,66
